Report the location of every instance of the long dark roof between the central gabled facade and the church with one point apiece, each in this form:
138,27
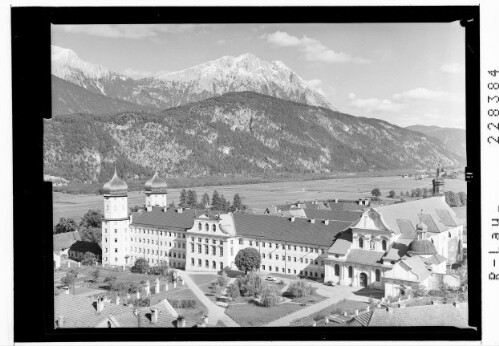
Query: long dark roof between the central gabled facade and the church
282,229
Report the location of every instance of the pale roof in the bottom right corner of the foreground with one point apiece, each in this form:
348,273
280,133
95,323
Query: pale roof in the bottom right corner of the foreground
426,315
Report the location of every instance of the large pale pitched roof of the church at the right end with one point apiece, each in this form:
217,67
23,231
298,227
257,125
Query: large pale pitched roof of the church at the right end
411,211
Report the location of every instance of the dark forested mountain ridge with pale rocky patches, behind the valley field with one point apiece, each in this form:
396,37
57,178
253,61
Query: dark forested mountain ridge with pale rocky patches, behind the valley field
243,132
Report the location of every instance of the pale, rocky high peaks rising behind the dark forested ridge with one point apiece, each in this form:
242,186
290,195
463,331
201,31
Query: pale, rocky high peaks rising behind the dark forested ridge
214,78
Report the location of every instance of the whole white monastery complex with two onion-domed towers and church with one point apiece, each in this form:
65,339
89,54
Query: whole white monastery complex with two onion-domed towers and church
390,248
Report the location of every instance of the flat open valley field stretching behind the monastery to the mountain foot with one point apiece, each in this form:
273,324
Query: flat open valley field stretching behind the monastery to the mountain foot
264,194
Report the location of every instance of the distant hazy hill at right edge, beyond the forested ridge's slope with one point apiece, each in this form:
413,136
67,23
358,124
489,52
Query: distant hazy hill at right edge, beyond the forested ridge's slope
454,139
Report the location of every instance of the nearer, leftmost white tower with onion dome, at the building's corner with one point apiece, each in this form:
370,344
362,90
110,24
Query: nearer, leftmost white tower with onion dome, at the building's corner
115,223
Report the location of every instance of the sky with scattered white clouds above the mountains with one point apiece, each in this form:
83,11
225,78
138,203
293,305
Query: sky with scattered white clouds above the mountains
406,74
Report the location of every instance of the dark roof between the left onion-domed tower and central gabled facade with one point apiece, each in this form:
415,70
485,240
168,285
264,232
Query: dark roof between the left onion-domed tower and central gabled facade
164,219
